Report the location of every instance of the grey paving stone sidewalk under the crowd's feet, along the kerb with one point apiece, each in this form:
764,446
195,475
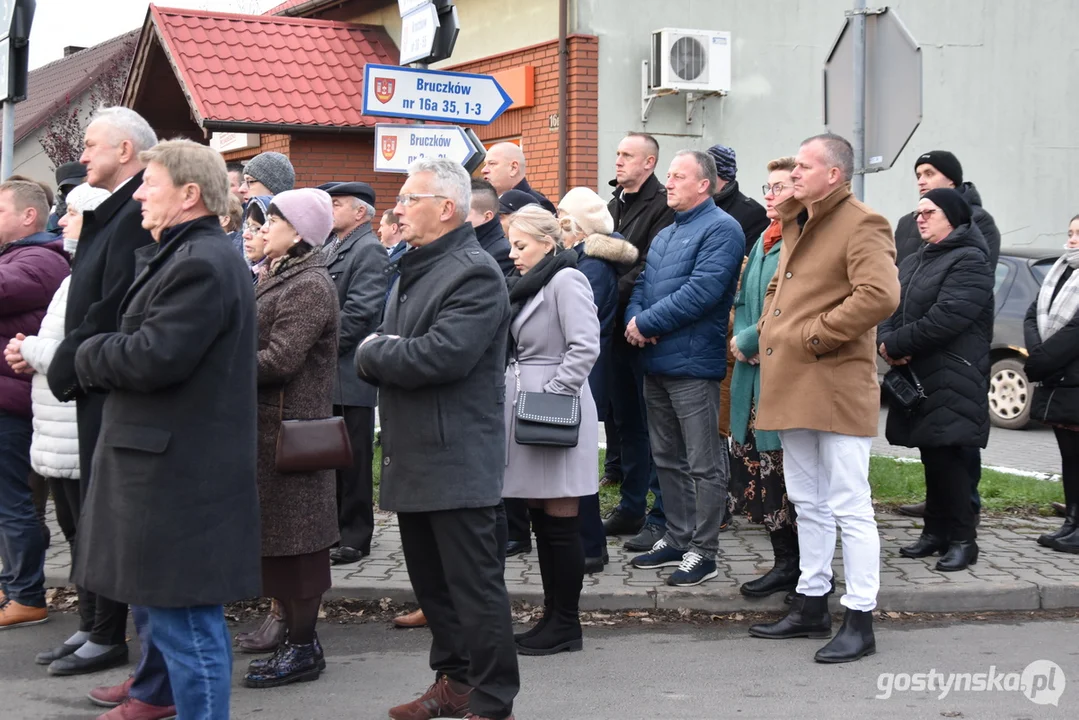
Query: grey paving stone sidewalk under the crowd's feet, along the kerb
1013,574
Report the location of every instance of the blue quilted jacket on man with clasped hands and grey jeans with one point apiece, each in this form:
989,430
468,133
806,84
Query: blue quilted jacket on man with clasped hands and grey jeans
685,295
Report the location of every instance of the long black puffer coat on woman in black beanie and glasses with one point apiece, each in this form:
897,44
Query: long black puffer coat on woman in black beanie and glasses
944,324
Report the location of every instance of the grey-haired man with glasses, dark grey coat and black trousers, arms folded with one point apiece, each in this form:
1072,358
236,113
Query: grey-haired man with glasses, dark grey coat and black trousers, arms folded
440,359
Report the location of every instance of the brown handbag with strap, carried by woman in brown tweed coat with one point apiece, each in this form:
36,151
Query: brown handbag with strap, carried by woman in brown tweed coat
309,446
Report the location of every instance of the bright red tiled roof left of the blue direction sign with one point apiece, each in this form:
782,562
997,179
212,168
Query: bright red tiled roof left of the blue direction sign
247,70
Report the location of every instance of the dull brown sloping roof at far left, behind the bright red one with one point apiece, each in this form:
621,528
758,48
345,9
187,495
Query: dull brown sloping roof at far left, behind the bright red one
54,86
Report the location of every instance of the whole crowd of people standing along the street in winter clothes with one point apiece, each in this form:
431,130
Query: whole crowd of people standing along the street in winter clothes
195,357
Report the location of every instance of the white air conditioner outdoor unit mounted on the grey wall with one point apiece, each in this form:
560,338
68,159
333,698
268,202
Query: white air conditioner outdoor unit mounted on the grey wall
695,61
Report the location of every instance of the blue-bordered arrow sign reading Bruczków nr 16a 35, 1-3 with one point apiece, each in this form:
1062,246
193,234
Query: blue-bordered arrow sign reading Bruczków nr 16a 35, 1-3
395,92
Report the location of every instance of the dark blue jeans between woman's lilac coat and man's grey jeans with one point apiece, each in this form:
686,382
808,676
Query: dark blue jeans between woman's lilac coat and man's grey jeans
638,471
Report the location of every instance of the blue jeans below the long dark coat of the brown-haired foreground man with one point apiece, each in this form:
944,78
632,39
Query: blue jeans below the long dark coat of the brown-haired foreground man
198,651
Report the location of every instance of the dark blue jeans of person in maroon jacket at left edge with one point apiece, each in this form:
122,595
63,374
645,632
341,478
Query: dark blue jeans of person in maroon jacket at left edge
22,545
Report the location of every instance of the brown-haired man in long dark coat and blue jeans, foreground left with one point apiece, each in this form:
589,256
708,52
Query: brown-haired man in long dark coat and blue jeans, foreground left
172,518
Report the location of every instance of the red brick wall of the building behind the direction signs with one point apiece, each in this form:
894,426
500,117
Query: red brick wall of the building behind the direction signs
323,157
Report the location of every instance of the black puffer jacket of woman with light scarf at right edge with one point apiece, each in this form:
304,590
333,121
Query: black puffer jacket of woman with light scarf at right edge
1056,365
